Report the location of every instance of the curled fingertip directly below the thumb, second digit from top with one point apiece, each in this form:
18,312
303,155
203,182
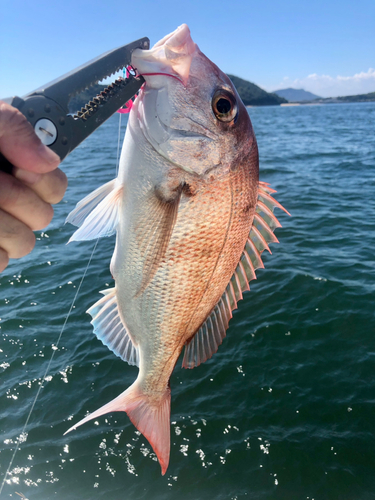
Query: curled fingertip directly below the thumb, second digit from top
50,187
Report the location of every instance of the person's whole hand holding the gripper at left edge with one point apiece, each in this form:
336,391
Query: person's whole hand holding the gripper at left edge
27,195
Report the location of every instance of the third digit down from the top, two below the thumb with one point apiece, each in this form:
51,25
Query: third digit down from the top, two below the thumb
21,202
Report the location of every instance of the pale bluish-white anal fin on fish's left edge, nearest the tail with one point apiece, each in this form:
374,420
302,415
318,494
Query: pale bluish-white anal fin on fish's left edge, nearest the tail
108,327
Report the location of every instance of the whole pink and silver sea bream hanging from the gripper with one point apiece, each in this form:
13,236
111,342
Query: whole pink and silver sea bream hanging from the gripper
191,220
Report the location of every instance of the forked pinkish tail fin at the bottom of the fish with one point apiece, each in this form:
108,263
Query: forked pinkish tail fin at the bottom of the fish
152,419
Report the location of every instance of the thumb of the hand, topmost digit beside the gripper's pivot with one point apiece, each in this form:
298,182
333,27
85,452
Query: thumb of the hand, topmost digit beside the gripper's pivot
20,145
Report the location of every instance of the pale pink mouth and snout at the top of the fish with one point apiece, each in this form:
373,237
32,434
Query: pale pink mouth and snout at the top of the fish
171,56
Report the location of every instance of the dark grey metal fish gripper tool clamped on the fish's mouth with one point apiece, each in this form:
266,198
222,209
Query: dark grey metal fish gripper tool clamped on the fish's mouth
47,108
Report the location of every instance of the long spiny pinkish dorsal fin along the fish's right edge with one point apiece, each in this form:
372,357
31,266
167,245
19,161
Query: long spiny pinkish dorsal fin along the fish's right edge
212,332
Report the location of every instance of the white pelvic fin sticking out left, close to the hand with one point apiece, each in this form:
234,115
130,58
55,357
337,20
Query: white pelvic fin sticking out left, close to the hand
97,214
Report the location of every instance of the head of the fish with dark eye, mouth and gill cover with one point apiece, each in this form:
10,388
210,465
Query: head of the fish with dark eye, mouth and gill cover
189,110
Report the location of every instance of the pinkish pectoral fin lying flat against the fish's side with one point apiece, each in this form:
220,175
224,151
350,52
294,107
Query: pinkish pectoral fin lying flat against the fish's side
154,232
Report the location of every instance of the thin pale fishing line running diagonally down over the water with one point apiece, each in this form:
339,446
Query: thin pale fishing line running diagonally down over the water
23,436
